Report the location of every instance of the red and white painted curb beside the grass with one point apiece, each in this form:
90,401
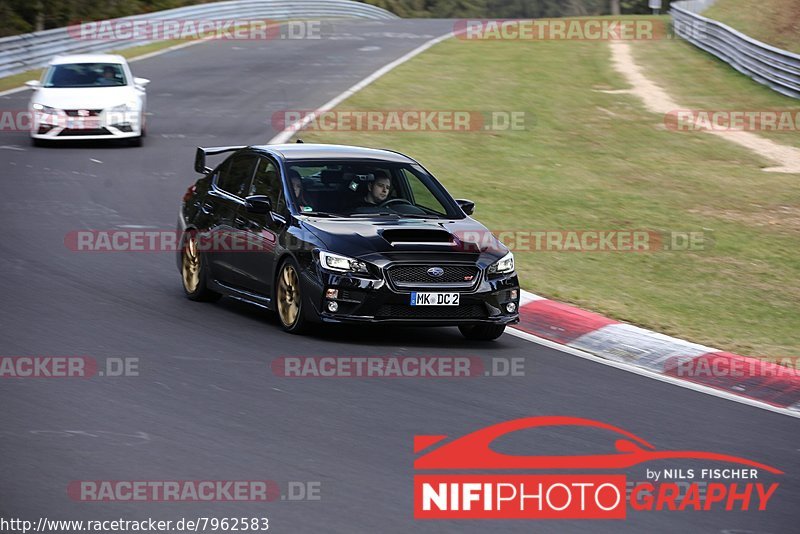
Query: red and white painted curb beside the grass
750,380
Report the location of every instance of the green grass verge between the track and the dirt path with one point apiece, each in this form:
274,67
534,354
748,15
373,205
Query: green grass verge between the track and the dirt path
595,160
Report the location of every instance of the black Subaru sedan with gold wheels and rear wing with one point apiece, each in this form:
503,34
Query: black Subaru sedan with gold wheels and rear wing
342,234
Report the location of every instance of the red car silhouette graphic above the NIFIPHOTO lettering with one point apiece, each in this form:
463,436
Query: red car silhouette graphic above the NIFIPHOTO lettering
474,451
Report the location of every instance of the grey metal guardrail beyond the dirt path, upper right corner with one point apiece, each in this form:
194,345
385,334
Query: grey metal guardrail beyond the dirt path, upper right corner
766,64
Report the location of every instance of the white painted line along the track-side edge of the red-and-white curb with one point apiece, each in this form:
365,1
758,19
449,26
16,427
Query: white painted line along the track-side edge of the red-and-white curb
650,374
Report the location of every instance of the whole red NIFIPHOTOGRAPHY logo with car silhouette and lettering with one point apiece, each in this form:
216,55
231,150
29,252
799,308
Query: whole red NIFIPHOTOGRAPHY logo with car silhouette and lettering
492,490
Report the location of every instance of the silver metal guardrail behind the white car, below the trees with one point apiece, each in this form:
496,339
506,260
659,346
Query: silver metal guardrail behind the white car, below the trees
20,53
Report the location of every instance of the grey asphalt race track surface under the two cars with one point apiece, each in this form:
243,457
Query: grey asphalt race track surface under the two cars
206,404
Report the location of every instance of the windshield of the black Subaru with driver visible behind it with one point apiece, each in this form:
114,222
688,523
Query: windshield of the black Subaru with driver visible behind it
359,189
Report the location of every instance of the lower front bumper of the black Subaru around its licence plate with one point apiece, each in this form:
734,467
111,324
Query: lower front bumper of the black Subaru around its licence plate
363,300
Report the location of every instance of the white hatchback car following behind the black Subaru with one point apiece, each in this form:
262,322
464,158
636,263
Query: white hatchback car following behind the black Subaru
88,96
